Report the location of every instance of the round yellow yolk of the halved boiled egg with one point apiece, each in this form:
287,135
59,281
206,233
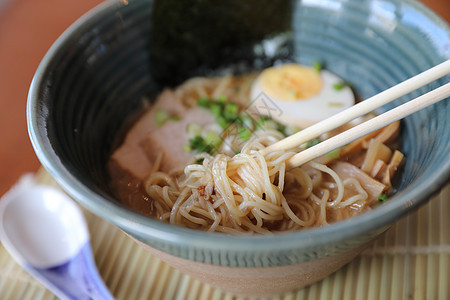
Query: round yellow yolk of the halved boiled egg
291,82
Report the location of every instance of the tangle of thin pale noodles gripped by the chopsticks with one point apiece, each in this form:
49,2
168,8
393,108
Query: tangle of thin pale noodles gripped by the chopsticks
247,193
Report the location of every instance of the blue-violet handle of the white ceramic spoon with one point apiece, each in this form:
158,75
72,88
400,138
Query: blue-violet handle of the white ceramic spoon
75,279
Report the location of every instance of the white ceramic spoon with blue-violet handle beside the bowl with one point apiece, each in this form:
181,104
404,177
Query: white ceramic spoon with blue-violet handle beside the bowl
46,233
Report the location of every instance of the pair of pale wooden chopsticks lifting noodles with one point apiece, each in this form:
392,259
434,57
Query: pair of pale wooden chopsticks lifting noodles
362,108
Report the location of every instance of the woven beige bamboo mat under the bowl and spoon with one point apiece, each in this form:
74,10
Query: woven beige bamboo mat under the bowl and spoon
410,261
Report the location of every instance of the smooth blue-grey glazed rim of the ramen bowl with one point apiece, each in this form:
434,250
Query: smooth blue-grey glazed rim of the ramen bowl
138,225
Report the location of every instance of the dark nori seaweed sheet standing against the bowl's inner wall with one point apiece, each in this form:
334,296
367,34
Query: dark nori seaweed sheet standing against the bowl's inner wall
193,37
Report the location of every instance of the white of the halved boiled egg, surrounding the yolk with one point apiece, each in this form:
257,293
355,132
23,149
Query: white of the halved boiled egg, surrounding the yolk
305,112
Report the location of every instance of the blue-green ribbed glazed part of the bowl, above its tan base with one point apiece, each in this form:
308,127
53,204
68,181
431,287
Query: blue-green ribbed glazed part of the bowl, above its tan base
99,71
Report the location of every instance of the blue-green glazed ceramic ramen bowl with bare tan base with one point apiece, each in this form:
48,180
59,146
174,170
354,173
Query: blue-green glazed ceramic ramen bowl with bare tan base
94,78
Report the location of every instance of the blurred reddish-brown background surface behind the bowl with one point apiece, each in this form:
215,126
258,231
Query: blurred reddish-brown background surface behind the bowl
27,29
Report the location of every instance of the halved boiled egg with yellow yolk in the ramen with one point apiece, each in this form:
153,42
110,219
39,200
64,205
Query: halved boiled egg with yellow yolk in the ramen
300,95
